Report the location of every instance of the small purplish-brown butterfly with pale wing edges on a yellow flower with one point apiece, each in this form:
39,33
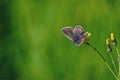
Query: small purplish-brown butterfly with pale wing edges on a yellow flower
76,35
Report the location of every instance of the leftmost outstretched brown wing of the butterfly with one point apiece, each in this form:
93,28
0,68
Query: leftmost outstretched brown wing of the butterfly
68,32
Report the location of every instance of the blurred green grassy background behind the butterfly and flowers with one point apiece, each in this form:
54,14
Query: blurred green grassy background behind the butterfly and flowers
32,46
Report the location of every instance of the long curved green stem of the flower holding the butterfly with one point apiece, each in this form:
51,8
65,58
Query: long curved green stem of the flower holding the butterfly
103,60
